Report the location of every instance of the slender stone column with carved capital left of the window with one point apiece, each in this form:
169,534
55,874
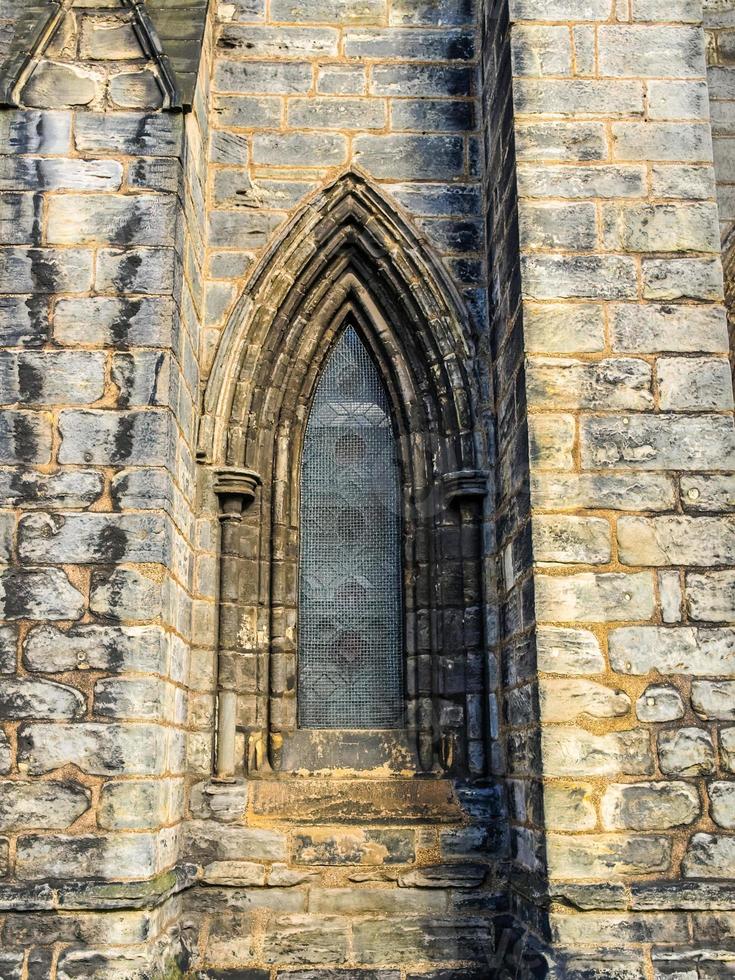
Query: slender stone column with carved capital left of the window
235,488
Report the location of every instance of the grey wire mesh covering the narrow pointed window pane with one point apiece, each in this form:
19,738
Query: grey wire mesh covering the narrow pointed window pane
350,593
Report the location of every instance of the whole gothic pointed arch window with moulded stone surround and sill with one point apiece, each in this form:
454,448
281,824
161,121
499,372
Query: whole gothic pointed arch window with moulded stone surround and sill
343,419
